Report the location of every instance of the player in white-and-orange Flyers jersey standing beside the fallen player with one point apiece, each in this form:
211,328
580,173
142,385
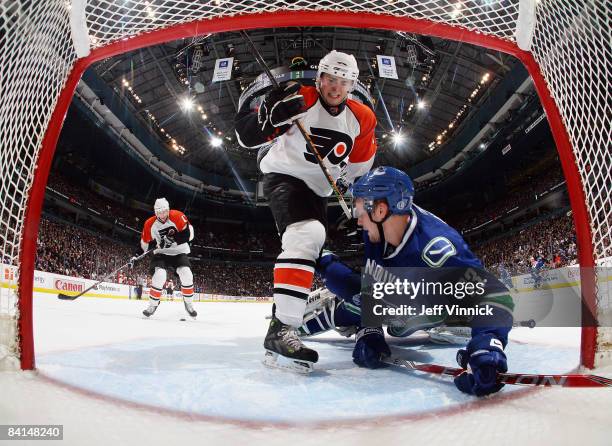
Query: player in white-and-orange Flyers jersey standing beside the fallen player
297,190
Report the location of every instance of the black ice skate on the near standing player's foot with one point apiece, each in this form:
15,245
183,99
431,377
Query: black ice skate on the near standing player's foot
284,349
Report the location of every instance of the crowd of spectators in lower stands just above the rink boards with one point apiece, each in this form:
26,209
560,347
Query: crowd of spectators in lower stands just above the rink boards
67,249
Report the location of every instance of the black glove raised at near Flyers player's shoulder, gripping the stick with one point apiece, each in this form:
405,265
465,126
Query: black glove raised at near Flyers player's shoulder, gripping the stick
282,106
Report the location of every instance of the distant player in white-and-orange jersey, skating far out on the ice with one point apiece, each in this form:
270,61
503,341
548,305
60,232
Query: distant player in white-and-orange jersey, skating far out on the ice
168,233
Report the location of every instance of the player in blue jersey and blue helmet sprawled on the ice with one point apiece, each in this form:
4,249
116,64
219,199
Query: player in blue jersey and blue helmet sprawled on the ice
398,233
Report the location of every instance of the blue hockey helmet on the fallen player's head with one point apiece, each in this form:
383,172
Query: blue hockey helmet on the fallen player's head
387,183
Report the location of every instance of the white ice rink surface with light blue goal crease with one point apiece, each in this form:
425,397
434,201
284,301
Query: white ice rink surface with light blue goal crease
111,376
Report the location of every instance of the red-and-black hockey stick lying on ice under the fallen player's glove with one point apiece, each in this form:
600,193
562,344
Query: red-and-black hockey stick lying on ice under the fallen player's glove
525,379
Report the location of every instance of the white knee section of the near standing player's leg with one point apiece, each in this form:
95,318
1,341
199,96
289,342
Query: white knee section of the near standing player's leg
303,239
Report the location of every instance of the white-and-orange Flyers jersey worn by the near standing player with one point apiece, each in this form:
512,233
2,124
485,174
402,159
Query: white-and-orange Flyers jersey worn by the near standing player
345,141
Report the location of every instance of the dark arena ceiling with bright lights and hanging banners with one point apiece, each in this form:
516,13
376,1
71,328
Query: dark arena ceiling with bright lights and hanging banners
440,84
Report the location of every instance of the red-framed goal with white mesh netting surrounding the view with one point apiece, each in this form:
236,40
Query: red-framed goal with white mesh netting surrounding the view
46,46
